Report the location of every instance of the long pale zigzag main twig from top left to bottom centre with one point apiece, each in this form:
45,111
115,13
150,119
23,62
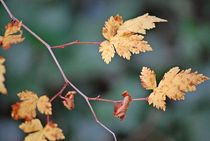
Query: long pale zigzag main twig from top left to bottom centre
59,67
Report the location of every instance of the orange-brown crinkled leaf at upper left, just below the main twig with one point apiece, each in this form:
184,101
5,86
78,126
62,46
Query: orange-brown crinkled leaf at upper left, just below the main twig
12,35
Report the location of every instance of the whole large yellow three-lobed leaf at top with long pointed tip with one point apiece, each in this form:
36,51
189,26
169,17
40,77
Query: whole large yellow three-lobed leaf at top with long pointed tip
123,37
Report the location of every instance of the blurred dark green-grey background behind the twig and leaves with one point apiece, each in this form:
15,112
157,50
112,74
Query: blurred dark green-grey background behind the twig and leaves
184,41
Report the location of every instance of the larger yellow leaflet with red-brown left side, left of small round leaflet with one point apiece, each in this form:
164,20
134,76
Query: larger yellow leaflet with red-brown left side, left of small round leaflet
26,109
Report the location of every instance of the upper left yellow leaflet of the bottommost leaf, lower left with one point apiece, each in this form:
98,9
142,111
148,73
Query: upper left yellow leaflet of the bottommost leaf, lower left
31,126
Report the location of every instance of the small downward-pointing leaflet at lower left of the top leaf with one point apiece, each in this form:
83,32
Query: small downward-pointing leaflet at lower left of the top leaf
107,50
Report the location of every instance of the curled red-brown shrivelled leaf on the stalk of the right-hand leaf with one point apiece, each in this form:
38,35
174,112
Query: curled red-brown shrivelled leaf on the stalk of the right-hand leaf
121,108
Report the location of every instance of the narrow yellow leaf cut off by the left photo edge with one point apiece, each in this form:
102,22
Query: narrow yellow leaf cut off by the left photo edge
3,90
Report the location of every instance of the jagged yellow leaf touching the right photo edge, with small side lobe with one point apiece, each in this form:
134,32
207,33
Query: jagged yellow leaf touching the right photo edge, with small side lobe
174,85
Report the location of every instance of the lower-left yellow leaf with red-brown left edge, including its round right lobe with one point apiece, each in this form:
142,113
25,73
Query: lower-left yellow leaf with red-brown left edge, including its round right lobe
26,108
